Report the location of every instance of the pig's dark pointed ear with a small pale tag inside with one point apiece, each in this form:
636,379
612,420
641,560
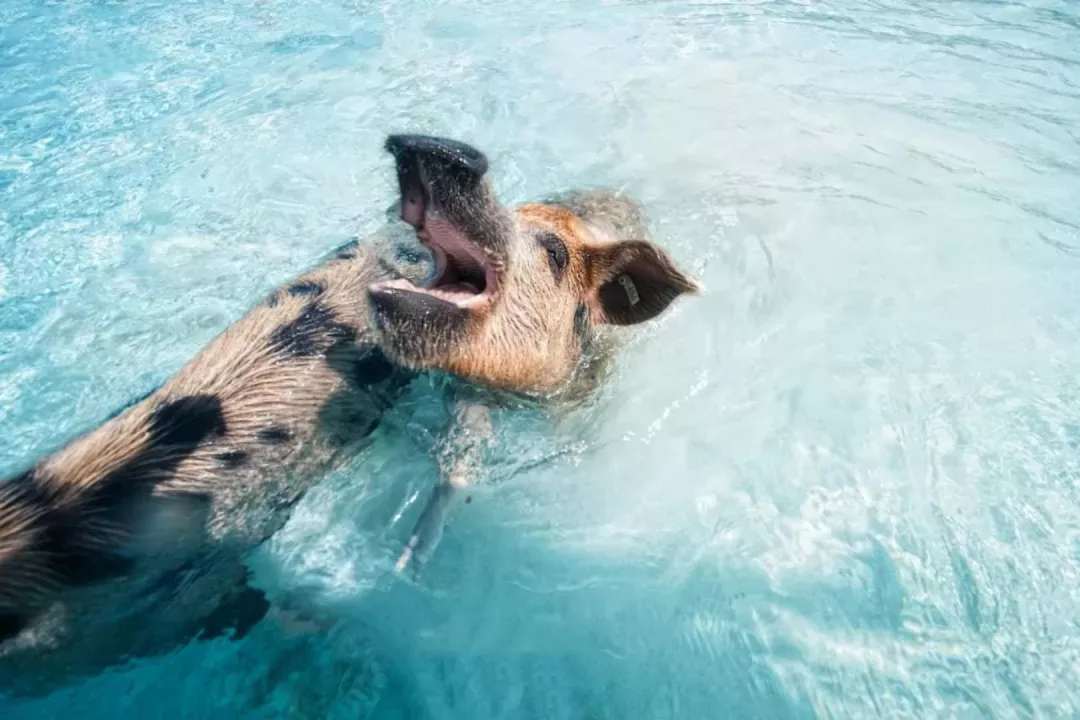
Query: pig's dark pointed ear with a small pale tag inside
636,281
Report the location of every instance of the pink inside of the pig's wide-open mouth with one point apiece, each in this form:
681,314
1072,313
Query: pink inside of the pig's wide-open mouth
465,275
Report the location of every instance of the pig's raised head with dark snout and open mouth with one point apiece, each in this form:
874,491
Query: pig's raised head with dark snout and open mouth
518,298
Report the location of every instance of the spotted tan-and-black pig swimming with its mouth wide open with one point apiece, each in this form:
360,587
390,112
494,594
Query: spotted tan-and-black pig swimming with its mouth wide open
132,537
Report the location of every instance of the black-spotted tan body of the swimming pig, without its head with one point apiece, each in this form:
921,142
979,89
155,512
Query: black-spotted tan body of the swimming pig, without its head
133,537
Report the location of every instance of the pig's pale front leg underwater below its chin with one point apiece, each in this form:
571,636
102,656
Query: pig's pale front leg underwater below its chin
461,467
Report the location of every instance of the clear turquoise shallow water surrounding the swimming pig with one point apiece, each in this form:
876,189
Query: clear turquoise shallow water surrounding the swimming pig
843,484
